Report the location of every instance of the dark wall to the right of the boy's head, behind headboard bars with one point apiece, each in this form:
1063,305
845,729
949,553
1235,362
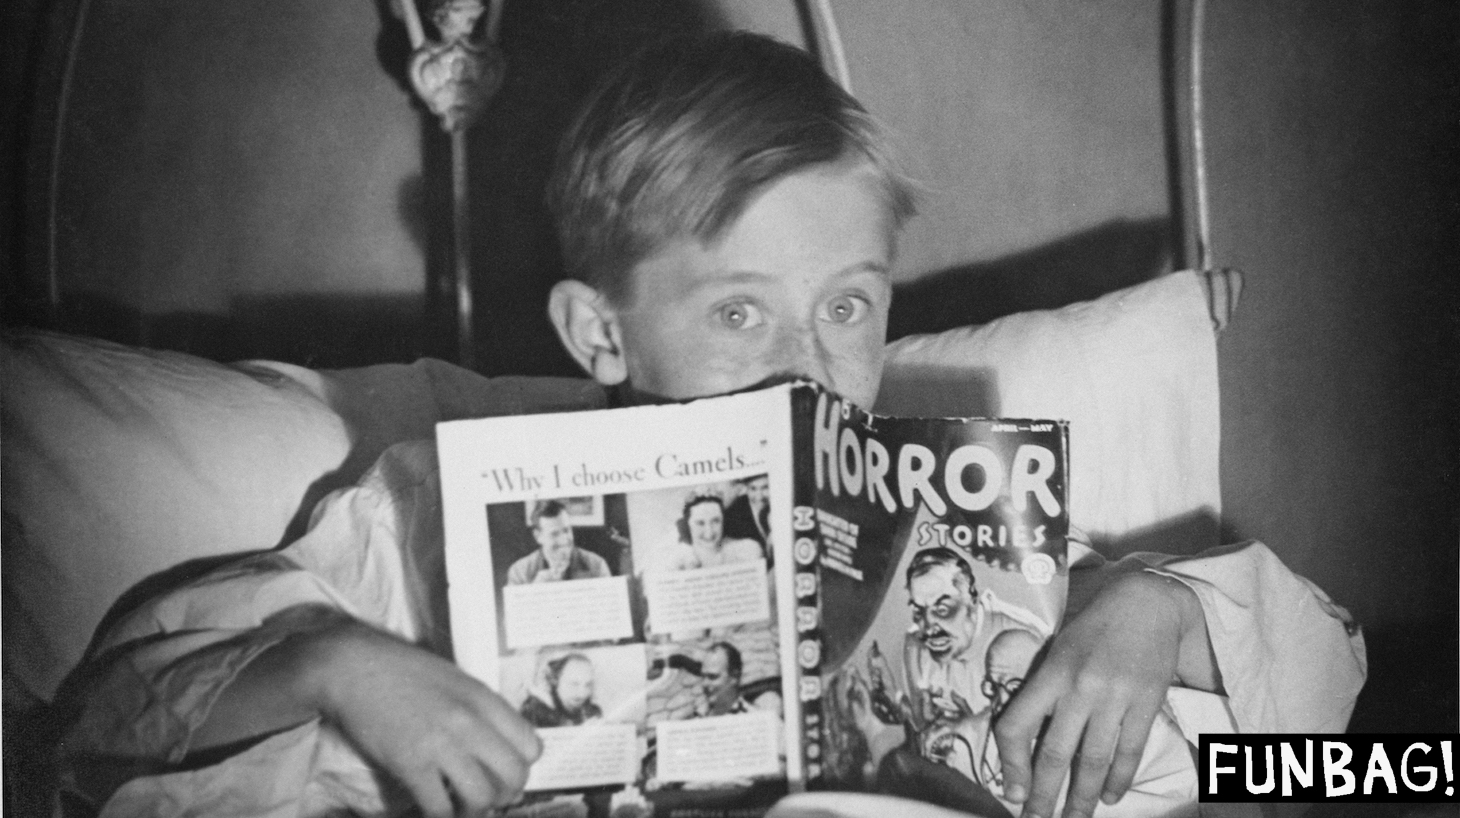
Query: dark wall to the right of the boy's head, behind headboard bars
1331,135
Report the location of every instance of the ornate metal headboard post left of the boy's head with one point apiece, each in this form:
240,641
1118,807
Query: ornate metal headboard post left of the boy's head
456,77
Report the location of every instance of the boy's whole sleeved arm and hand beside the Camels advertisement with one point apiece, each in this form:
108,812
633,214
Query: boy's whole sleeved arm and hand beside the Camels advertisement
198,689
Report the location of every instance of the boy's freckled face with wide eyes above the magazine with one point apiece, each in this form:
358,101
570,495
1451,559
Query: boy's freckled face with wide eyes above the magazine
796,287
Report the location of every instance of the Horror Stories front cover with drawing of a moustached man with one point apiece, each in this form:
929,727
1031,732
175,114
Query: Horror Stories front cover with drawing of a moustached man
942,572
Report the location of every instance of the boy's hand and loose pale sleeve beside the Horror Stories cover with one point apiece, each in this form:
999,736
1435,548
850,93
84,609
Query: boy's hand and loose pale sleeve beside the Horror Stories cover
1232,620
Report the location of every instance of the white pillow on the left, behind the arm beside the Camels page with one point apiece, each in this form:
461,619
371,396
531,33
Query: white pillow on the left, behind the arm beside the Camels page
118,464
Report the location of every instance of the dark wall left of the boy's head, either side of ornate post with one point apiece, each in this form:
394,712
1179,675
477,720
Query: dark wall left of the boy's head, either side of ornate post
256,180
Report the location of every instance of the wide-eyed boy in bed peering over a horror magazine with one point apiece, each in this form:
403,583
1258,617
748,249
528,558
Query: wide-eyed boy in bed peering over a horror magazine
729,217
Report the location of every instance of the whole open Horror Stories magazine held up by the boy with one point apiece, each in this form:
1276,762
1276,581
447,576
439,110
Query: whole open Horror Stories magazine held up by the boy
707,605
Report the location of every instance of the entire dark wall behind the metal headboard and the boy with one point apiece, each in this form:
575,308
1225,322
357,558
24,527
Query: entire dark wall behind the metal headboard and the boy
252,180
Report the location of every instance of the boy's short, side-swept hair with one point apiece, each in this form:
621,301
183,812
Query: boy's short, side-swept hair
677,142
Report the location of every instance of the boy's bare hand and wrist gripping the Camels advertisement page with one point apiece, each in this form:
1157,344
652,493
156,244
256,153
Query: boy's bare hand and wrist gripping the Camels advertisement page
420,718
